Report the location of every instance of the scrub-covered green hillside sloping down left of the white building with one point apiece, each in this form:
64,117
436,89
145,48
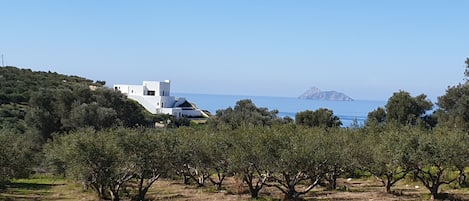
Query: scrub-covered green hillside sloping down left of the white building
48,102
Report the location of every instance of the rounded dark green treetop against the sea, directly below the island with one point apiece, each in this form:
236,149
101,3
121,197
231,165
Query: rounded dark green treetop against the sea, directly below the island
319,118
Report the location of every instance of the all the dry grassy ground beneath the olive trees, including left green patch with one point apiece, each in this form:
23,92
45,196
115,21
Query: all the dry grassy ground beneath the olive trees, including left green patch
362,189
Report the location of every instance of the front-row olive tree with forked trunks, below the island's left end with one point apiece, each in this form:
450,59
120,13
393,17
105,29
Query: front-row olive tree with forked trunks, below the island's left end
299,157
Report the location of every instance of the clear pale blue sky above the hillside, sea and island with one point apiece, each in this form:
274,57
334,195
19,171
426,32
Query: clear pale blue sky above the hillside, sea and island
365,49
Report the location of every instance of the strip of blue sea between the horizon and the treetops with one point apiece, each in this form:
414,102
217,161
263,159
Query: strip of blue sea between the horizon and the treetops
347,111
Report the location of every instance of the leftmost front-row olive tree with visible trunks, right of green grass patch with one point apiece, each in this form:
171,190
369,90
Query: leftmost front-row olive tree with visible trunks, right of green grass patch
94,158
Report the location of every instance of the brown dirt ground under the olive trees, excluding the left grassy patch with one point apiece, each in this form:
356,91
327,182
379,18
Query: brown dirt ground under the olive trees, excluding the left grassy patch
368,190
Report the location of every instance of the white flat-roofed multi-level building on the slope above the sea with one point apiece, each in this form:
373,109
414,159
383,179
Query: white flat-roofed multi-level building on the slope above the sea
155,97
